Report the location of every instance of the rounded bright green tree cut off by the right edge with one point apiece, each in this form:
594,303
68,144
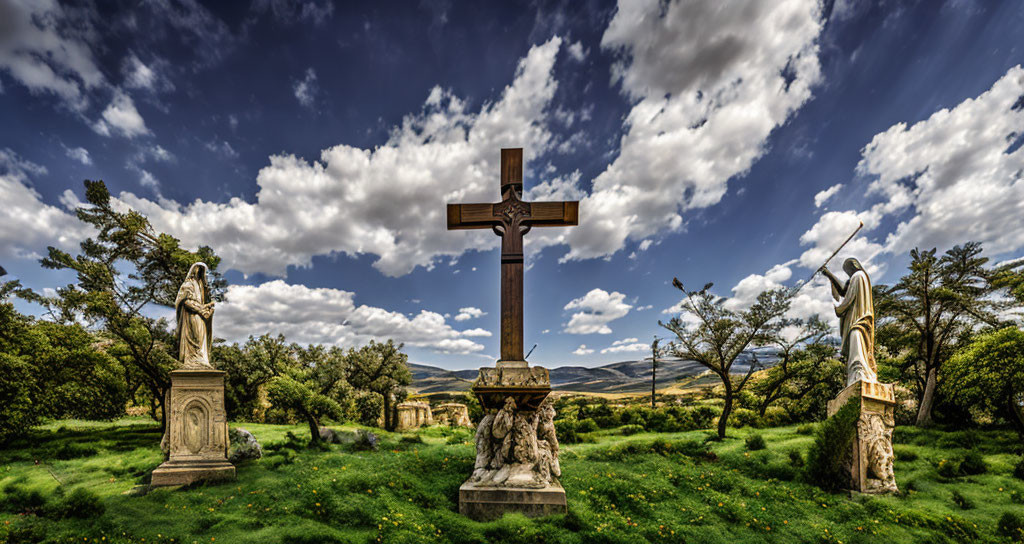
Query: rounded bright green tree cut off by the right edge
987,378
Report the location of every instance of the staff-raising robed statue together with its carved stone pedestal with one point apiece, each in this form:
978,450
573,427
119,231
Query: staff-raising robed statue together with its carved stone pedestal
871,463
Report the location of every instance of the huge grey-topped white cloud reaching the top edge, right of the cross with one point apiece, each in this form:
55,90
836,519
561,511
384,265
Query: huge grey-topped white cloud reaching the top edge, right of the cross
709,82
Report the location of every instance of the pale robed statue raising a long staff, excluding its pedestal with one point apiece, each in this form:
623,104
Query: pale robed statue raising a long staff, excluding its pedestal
857,315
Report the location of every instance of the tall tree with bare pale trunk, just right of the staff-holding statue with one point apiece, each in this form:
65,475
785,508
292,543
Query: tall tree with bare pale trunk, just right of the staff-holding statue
936,304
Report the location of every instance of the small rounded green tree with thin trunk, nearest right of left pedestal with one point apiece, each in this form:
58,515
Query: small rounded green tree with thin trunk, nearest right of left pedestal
314,387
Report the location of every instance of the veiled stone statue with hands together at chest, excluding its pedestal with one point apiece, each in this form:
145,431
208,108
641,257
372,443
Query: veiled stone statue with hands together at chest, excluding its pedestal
194,312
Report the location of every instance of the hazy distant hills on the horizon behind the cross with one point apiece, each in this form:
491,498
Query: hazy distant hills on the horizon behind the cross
624,378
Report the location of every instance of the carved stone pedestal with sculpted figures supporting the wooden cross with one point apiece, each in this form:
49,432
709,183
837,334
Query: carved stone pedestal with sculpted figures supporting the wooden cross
517,469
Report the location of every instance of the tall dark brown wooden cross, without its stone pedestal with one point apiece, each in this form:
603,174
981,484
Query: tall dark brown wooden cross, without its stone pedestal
511,219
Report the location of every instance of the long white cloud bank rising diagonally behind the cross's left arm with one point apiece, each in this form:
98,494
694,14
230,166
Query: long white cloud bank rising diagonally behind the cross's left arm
388,201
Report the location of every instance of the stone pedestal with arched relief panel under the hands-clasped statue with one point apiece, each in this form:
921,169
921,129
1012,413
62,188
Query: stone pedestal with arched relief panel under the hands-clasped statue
196,440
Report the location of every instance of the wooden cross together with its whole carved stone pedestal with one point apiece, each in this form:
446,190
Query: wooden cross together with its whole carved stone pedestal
517,468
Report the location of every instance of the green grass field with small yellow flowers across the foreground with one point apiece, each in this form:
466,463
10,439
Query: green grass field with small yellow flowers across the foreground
645,488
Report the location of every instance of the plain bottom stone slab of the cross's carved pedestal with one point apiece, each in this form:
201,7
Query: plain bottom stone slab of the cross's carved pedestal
483,504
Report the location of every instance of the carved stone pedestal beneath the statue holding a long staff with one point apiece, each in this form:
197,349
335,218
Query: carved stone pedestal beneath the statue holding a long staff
872,462
